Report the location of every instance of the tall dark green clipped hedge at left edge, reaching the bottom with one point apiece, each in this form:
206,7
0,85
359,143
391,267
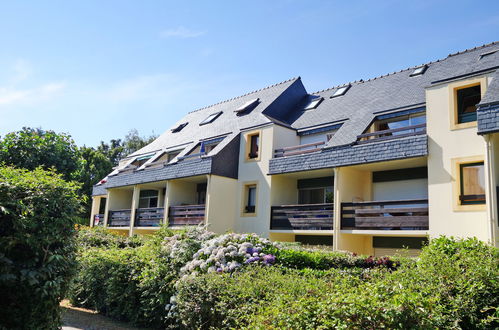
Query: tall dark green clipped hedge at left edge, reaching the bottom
36,246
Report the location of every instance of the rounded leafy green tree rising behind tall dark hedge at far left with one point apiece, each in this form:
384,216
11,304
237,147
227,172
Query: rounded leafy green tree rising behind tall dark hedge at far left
30,148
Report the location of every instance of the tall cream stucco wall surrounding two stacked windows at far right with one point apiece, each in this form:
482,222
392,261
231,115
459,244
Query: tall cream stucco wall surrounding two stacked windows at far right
446,146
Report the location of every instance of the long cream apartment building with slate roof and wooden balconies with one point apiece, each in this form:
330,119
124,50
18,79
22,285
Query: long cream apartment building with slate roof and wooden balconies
369,166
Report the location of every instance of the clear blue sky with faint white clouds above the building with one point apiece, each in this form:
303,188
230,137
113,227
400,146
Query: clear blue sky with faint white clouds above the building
96,69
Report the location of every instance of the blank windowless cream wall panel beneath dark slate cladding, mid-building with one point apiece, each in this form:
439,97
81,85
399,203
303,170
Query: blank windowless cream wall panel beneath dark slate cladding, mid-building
221,203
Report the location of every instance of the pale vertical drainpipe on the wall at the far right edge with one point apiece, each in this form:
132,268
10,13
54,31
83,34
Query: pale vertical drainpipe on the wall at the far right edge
491,196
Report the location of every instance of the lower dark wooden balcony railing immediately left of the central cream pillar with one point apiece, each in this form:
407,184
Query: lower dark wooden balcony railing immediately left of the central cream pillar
302,217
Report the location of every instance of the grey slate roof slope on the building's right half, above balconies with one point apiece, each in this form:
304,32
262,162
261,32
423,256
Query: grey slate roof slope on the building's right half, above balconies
398,90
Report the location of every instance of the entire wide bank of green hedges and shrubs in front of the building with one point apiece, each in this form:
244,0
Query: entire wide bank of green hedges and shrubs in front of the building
453,285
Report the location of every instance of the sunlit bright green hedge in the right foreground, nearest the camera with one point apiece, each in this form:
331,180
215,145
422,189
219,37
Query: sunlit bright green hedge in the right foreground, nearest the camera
453,285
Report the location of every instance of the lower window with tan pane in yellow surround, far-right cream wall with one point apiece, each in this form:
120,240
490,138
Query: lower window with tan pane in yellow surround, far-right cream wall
472,183
